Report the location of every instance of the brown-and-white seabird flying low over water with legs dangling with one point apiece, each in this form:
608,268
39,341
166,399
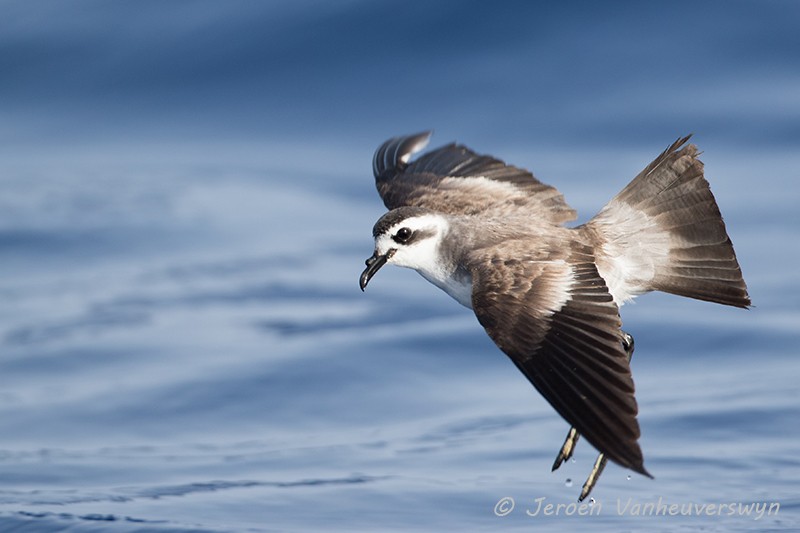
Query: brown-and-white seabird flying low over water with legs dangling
496,239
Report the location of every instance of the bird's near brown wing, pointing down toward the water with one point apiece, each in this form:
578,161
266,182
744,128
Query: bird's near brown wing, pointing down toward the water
556,320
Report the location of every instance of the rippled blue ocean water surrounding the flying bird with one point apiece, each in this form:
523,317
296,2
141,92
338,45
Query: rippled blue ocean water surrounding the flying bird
186,202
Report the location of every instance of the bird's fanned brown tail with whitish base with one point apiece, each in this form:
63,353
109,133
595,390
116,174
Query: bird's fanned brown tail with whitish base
664,232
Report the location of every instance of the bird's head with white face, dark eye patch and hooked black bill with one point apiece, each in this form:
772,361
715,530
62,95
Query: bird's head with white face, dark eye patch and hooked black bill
412,242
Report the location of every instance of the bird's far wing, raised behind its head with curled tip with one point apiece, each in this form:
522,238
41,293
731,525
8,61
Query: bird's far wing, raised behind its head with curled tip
455,180
